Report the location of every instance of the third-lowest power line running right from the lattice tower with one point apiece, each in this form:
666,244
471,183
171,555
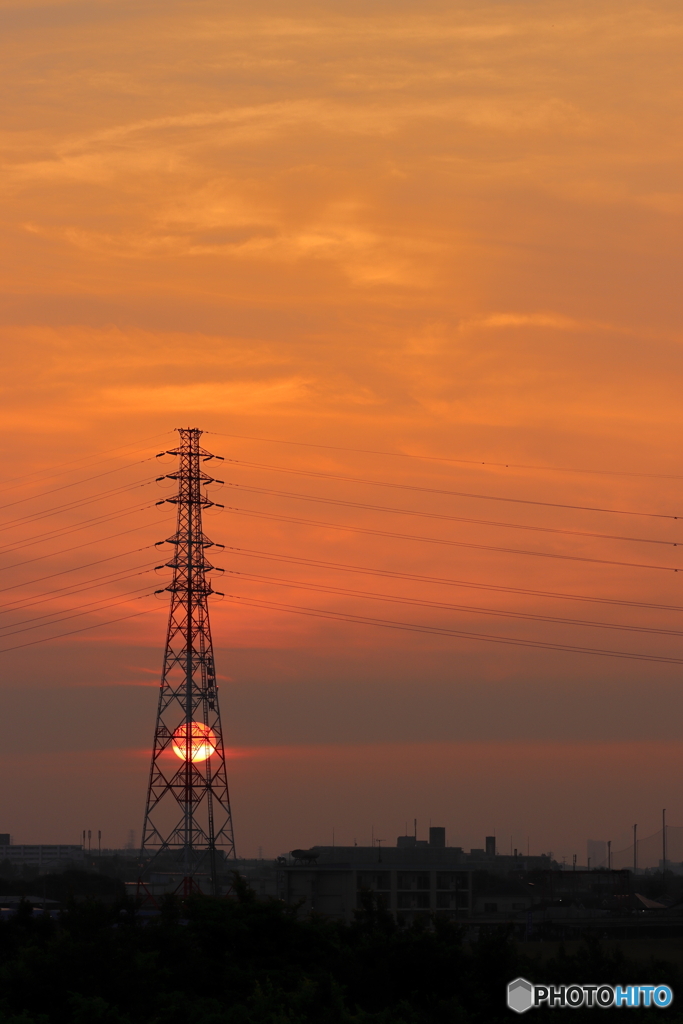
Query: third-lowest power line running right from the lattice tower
468,584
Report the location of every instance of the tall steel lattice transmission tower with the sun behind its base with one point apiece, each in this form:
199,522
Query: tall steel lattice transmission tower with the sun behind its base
188,819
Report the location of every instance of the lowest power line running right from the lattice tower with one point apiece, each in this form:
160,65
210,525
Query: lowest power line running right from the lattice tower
444,631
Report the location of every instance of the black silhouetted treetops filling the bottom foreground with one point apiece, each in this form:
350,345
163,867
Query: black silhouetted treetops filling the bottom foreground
250,962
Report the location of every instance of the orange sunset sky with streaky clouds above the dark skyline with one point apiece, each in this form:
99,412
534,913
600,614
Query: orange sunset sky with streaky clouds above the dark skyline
393,231
